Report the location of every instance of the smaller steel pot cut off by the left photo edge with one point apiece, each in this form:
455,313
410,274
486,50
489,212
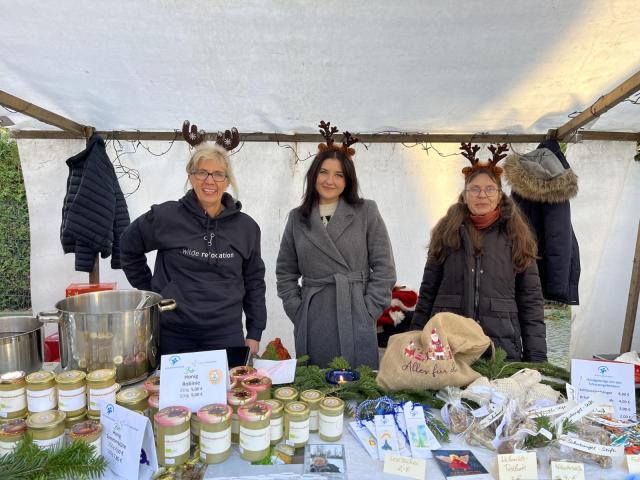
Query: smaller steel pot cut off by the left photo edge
21,344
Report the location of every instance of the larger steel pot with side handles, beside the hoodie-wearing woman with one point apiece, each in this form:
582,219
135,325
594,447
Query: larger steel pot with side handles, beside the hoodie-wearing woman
118,328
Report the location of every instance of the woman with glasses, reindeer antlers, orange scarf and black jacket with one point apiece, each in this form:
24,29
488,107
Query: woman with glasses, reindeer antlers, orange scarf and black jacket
482,265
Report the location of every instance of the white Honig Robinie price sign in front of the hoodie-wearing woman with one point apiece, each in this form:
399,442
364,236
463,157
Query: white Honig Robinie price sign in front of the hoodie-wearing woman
194,379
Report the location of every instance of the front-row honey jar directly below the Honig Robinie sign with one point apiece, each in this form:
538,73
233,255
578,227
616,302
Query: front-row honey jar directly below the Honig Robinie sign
215,433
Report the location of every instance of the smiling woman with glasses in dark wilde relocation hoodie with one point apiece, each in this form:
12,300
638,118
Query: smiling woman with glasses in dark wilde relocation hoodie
208,260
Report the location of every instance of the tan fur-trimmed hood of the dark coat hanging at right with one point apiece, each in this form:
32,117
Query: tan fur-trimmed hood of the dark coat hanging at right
542,175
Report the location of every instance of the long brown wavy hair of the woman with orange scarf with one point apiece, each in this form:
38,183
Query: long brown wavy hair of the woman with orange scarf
445,236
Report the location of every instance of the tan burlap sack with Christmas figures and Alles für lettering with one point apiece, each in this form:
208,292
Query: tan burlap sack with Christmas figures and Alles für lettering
436,357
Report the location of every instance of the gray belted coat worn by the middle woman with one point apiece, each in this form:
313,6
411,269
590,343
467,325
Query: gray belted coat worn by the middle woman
347,272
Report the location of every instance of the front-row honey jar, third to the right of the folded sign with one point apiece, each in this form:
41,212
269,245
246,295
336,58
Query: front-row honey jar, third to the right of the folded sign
255,431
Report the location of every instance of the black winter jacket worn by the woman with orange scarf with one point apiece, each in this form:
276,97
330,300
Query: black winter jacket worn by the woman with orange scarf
507,305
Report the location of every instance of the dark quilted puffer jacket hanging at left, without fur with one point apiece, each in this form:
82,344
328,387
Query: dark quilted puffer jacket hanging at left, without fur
94,211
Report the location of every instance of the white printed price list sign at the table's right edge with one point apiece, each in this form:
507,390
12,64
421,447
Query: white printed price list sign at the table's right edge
614,380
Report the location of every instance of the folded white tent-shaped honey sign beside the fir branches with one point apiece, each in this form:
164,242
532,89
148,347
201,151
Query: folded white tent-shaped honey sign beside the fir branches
127,442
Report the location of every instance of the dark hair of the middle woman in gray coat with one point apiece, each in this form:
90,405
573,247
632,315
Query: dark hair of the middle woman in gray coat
350,192
